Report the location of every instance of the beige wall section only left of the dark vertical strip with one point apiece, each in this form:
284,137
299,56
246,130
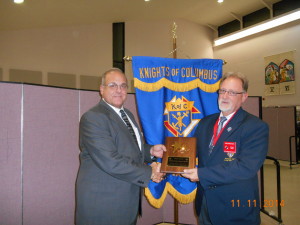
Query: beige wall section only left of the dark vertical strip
82,50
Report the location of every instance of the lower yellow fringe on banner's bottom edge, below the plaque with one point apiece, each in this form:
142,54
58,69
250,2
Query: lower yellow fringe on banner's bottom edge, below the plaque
181,198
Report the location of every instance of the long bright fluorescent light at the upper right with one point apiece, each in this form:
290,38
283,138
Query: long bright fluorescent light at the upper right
258,28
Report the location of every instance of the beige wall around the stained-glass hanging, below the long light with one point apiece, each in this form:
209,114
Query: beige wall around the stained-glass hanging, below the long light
247,56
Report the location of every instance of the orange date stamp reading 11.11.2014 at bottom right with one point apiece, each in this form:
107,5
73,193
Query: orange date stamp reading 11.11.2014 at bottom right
254,203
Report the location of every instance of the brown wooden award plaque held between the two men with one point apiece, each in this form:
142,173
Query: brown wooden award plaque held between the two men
180,154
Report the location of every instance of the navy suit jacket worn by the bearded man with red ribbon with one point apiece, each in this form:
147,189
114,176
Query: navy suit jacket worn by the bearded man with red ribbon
230,184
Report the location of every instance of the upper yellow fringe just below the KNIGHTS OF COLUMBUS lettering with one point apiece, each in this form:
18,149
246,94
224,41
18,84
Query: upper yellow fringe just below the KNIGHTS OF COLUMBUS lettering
181,87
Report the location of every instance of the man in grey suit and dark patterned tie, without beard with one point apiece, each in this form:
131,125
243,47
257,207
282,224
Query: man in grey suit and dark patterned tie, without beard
112,159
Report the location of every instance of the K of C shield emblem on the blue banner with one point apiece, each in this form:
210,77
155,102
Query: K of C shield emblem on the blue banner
180,120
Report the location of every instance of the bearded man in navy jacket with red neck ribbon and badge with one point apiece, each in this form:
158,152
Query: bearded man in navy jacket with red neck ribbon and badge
230,151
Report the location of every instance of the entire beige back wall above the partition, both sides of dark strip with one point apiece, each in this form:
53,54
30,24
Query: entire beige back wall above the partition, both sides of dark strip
78,54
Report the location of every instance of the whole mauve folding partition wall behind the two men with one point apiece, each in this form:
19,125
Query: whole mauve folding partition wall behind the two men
39,155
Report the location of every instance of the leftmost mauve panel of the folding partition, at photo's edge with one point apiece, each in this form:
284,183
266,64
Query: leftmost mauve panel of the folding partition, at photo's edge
10,154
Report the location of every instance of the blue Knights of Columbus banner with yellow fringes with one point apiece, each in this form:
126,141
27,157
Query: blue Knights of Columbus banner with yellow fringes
173,95
